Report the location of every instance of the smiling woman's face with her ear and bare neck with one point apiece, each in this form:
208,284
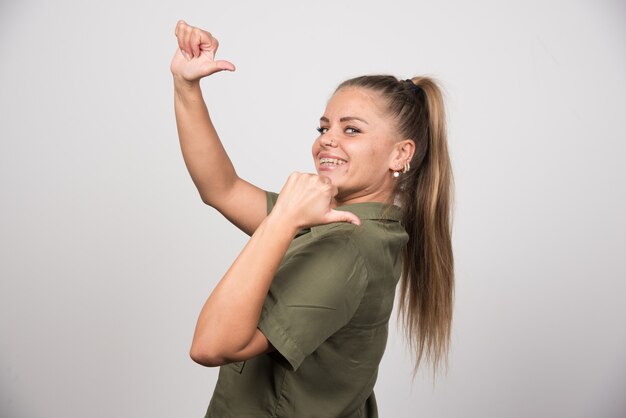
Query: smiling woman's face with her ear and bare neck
358,147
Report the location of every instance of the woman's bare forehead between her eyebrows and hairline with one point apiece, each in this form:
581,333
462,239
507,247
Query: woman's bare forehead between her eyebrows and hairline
355,101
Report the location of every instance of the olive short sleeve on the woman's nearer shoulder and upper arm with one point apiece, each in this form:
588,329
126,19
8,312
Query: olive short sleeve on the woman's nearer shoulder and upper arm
315,292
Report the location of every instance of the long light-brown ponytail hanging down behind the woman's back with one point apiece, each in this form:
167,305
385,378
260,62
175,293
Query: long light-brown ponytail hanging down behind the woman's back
427,284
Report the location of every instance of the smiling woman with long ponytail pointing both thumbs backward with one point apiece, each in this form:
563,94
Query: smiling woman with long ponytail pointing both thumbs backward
299,321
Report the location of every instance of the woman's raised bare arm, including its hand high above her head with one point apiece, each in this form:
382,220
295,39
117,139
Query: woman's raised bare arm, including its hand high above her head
207,162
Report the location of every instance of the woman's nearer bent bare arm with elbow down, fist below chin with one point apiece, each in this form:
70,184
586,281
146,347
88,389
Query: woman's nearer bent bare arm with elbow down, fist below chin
227,326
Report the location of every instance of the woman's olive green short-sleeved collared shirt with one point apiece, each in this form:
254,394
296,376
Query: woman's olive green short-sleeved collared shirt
326,314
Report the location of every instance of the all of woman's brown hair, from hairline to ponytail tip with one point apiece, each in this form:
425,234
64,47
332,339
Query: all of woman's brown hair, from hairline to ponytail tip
425,196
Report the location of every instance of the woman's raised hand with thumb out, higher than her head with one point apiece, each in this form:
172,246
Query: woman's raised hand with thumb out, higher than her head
195,56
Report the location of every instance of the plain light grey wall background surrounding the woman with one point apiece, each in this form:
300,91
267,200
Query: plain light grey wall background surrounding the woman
107,252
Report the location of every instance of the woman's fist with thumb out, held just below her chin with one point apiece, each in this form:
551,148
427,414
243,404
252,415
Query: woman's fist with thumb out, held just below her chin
305,201
